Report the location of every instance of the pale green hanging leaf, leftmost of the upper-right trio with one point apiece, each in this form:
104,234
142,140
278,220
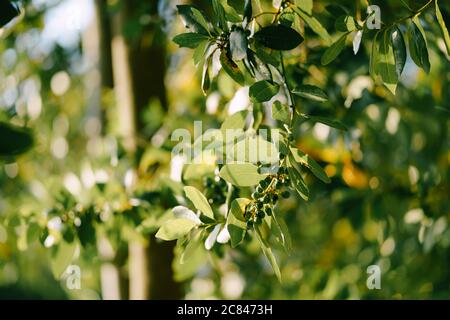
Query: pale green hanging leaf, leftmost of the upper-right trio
386,65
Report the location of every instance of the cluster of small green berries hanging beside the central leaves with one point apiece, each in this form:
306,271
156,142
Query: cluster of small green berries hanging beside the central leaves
266,196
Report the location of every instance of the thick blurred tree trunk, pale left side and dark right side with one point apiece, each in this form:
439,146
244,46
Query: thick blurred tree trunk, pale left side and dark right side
139,72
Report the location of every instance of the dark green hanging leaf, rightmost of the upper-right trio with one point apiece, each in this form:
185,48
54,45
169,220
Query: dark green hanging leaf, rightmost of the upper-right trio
418,46
